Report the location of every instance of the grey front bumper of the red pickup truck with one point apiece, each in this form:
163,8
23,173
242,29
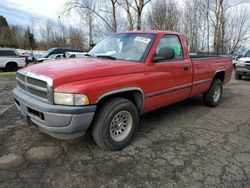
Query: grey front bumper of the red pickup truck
63,122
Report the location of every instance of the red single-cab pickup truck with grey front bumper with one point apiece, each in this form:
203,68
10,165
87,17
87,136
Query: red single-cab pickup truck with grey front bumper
125,75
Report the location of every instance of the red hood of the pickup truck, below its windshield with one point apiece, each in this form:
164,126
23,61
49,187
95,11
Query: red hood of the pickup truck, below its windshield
70,70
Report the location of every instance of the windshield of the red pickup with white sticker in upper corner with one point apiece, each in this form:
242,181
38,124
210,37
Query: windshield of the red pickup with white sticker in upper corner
130,47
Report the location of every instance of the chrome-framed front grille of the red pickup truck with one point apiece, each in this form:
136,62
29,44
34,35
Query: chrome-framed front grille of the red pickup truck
36,85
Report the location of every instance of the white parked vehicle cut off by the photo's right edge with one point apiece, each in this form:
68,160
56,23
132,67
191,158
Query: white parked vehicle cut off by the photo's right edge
243,66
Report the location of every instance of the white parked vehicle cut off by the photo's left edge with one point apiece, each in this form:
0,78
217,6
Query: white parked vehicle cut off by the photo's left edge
10,60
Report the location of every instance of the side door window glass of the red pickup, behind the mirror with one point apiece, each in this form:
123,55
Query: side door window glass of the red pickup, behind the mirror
173,42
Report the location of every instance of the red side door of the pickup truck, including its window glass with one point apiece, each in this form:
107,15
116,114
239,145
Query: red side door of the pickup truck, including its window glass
168,81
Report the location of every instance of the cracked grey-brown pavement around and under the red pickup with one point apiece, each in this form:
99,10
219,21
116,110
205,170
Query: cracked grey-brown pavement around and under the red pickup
182,145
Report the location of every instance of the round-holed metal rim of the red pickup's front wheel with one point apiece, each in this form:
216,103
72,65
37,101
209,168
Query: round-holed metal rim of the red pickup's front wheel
121,125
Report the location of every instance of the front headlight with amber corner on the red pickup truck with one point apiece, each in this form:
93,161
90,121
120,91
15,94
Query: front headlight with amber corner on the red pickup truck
71,99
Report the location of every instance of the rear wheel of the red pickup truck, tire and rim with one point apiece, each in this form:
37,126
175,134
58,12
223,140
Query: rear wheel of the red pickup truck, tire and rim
212,97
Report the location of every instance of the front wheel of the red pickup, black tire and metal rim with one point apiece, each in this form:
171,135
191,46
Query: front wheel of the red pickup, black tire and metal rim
115,124
